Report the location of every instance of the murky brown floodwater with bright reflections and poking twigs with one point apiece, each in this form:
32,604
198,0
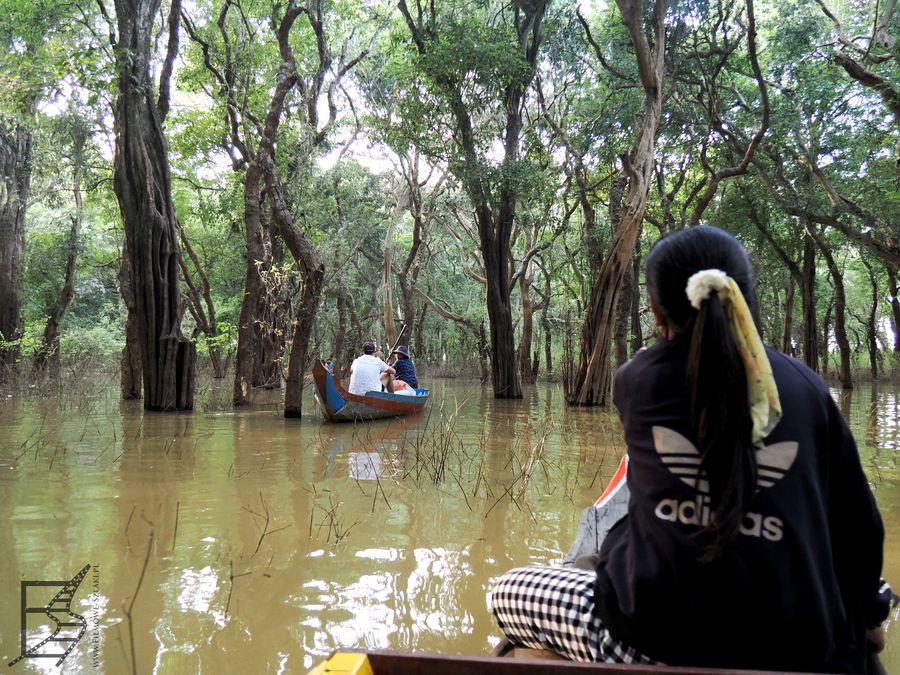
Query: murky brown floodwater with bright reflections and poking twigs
243,542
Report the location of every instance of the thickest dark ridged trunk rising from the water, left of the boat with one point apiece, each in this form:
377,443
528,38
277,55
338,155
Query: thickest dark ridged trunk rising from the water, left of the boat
141,182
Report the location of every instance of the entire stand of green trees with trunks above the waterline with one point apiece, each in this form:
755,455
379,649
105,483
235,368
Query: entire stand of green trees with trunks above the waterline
489,174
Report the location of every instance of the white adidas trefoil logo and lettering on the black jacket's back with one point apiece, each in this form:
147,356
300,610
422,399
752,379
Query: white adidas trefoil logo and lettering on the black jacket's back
683,460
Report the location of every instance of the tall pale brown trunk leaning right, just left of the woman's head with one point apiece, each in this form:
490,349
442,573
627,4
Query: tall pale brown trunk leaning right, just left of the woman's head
592,383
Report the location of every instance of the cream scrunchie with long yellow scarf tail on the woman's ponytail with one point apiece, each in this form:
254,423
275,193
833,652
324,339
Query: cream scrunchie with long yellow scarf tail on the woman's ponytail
762,393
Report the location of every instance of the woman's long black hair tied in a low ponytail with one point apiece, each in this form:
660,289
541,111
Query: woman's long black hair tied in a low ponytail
715,377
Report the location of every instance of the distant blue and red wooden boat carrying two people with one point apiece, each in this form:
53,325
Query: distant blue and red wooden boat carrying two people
339,405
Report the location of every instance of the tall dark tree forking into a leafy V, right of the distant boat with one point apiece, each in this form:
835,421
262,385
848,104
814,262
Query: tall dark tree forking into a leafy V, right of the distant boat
508,71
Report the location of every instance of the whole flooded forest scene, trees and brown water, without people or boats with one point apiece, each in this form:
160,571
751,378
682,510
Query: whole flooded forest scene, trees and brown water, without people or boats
200,199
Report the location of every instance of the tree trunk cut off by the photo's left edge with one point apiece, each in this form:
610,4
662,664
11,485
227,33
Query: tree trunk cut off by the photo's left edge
15,188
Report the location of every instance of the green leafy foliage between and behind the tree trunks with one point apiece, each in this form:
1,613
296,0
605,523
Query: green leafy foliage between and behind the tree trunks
56,75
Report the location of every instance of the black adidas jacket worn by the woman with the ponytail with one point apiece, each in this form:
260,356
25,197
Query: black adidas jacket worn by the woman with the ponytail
798,588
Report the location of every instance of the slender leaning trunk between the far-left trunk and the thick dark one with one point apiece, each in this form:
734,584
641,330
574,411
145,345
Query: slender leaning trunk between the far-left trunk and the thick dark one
47,358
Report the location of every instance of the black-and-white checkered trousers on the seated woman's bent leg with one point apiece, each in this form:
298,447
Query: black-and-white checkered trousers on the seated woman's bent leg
553,608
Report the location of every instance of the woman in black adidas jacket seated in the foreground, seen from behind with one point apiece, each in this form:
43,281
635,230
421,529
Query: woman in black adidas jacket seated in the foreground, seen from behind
752,538
